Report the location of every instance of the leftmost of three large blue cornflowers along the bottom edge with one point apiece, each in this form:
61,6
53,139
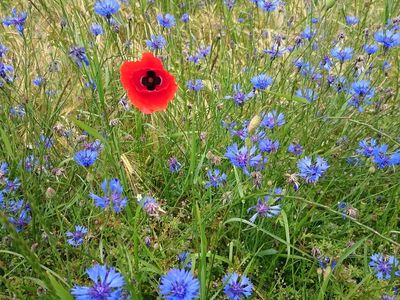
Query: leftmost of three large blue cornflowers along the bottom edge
107,284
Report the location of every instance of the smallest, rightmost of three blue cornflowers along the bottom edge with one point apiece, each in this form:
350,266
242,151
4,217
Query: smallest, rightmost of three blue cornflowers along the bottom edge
237,287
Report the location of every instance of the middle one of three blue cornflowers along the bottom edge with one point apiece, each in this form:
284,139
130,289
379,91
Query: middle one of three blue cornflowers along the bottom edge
179,285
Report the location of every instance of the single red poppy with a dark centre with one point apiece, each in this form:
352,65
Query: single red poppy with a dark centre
150,87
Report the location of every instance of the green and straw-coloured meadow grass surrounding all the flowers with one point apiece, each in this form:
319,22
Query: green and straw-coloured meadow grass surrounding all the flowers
277,254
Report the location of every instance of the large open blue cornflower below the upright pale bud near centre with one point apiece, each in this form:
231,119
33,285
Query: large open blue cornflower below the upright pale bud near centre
243,157
